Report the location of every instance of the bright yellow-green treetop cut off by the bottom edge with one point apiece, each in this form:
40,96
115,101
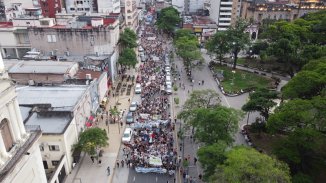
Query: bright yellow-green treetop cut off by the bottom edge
249,166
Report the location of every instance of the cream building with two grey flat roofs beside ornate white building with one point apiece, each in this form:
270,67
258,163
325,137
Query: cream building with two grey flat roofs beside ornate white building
62,112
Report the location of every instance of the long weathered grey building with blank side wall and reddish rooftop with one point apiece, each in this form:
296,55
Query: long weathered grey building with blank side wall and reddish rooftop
95,36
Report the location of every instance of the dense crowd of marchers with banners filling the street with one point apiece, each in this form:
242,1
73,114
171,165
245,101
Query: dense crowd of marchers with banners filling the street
153,146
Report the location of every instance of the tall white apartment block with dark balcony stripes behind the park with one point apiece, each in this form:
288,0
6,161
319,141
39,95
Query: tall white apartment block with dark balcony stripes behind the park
224,12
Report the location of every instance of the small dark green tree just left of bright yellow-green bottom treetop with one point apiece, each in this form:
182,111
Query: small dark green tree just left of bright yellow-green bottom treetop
210,156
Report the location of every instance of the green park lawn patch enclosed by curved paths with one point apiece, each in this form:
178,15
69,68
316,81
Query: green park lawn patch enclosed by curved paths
242,80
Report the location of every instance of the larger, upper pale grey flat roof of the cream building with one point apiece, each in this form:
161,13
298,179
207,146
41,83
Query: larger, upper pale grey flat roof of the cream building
61,98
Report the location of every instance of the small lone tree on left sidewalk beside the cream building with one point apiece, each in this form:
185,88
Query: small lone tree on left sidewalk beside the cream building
92,139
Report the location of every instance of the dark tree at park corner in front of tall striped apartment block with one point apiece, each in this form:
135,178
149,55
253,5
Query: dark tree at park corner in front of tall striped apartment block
219,45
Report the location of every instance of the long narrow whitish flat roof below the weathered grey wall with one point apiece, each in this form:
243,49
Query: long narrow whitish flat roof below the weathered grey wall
46,67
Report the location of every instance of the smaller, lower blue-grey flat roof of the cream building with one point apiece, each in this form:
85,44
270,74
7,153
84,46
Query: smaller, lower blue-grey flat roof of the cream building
54,124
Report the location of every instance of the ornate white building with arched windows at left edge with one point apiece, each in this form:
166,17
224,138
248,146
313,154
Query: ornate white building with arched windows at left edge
20,157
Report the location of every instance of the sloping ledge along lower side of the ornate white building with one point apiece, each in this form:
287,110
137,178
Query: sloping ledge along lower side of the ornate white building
20,150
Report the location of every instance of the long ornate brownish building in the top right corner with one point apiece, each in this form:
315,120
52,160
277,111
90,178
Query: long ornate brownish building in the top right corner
259,10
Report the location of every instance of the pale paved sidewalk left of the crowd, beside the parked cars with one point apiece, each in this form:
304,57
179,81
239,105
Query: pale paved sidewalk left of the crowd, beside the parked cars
88,172
